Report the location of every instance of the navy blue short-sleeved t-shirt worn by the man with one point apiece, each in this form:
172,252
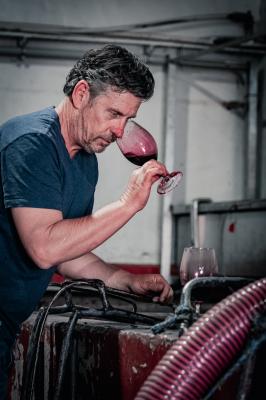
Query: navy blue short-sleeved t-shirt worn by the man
36,171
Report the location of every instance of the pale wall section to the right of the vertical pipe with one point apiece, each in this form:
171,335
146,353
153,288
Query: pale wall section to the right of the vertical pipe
214,136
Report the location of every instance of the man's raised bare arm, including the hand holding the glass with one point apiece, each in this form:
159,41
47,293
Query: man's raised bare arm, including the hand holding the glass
51,240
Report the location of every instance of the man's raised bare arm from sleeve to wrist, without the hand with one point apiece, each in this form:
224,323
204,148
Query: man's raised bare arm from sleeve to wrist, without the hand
56,240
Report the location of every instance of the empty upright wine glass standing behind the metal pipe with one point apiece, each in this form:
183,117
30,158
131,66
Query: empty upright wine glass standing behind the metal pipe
197,262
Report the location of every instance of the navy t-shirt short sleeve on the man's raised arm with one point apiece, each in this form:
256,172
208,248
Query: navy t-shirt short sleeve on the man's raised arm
31,173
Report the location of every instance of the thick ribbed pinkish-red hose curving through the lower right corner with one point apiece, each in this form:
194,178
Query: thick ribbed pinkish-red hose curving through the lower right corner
198,358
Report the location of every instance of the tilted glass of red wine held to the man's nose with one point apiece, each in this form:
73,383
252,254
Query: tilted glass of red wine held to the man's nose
139,146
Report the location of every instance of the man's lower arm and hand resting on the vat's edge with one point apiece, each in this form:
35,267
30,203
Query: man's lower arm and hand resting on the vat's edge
90,266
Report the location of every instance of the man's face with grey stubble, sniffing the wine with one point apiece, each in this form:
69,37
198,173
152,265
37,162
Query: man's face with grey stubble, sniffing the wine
104,118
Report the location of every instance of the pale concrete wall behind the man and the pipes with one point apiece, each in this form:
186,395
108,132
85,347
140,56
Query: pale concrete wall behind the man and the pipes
209,140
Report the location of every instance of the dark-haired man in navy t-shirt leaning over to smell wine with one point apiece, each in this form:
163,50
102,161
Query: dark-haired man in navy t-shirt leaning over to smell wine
47,182
